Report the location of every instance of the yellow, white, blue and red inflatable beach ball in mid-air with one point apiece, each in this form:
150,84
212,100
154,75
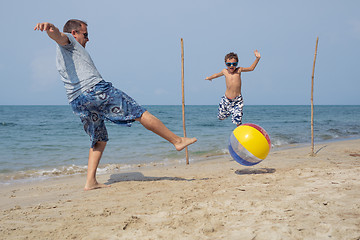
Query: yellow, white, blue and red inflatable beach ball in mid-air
249,144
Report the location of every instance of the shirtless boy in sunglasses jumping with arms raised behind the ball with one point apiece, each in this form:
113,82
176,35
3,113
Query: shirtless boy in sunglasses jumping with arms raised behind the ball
232,102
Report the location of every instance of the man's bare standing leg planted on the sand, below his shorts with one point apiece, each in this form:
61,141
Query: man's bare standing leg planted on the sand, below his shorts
95,154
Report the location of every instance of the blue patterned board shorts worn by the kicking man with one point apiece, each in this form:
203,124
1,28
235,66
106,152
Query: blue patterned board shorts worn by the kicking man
104,102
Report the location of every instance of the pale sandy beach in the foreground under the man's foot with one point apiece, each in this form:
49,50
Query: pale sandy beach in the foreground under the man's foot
290,195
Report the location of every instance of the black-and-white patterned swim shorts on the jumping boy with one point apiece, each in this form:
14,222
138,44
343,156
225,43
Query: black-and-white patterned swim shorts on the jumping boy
232,107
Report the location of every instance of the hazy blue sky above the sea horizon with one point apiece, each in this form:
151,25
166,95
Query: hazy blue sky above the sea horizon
136,45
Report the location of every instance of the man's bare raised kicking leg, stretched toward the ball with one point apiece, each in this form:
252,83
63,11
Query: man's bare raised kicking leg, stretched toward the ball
153,124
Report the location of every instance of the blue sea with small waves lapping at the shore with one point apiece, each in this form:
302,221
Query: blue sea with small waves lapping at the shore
42,142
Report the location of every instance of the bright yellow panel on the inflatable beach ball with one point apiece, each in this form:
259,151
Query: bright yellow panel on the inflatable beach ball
252,140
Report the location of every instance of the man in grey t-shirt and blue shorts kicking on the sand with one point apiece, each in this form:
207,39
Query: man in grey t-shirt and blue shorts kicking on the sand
95,100
